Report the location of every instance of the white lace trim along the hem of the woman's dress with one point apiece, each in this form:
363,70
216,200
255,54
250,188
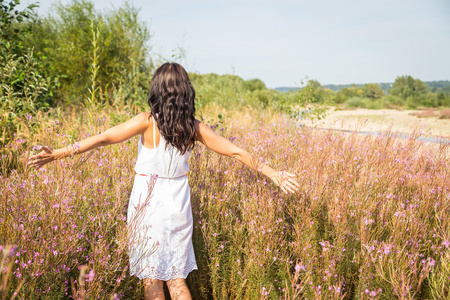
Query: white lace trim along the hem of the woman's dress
168,274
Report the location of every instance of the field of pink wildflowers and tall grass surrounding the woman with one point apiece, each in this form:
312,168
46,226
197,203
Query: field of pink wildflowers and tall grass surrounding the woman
370,220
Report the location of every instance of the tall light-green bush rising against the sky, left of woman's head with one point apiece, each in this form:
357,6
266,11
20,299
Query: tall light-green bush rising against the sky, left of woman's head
94,52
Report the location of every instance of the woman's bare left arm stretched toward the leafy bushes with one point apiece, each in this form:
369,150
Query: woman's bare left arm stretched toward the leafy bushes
114,135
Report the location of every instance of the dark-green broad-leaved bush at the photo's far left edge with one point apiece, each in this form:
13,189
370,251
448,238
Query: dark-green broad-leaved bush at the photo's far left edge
24,88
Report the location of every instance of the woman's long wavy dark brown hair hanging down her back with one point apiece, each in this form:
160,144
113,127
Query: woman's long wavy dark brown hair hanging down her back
172,102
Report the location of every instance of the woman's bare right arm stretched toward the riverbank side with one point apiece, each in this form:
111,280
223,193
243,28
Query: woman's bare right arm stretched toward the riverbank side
223,146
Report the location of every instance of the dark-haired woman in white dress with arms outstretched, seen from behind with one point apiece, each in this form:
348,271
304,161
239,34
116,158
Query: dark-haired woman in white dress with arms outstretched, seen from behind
164,250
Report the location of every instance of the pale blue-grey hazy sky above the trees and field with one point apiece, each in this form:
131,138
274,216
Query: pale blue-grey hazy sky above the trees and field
284,42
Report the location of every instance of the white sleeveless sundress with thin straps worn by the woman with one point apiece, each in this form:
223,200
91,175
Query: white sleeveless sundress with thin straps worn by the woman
160,222
